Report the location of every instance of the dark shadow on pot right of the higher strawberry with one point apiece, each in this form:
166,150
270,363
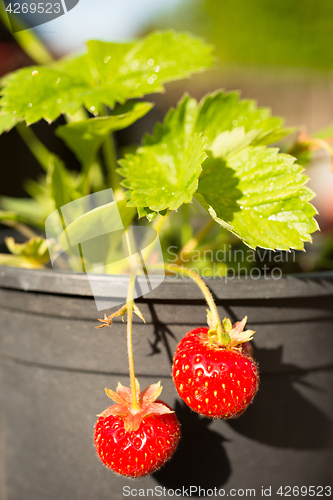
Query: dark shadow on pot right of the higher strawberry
280,416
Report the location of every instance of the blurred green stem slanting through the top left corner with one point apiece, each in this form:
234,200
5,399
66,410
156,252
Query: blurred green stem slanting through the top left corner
27,39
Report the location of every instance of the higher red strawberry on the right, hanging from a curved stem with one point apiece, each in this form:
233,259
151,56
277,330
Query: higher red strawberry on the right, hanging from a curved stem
213,380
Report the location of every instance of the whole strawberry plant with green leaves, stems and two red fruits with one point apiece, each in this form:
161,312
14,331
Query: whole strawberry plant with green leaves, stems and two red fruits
214,156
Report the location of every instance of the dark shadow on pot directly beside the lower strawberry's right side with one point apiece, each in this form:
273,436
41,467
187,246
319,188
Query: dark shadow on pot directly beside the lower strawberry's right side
185,468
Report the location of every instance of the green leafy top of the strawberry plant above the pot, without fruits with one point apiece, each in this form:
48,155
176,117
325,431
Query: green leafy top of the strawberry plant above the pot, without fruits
217,152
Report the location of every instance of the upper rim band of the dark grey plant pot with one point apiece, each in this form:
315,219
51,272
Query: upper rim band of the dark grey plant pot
174,289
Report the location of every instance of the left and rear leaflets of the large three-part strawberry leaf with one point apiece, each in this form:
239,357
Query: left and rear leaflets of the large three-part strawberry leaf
163,172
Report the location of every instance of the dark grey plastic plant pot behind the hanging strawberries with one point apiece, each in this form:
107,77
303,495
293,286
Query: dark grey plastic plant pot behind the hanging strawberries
55,366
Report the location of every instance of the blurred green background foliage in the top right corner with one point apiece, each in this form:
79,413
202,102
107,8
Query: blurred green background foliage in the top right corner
261,32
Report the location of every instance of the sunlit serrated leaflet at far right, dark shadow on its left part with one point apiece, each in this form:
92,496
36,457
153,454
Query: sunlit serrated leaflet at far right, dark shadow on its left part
259,195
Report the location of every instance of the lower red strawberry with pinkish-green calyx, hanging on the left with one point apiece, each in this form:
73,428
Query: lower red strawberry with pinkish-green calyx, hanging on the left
136,442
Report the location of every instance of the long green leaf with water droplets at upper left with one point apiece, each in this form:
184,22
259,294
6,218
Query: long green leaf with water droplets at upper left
107,74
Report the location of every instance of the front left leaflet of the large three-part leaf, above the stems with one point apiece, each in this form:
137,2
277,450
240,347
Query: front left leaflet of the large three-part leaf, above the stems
164,172
